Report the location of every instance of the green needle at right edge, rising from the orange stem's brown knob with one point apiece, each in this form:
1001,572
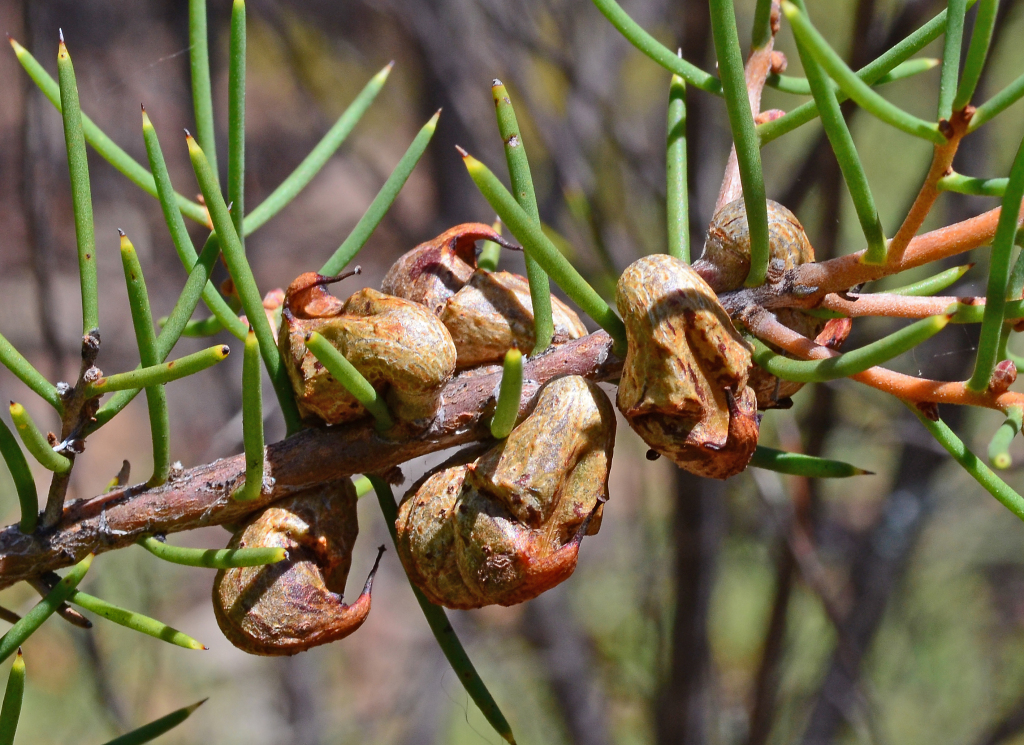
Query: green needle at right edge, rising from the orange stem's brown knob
999,276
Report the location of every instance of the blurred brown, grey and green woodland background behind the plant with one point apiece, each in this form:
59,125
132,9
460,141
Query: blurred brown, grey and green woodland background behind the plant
882,609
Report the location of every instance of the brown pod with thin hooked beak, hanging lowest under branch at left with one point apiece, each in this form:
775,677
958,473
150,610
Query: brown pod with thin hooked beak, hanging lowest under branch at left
288,607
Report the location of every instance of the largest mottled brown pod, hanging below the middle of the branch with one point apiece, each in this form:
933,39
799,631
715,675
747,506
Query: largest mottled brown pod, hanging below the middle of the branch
507,527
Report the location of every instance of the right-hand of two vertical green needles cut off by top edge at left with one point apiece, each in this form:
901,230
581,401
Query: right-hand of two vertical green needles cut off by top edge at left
237,119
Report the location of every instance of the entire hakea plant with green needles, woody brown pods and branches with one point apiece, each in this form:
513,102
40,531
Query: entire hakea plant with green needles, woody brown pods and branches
700,352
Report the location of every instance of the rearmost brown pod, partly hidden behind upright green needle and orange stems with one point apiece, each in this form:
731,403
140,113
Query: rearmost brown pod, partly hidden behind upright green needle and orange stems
727,261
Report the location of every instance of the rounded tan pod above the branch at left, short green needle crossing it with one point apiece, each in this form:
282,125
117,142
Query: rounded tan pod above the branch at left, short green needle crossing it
399,346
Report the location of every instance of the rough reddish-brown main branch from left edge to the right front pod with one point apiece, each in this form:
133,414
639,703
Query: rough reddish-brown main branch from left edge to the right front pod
201,497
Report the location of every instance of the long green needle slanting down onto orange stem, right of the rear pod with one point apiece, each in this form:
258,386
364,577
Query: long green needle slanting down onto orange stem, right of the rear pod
846,153
